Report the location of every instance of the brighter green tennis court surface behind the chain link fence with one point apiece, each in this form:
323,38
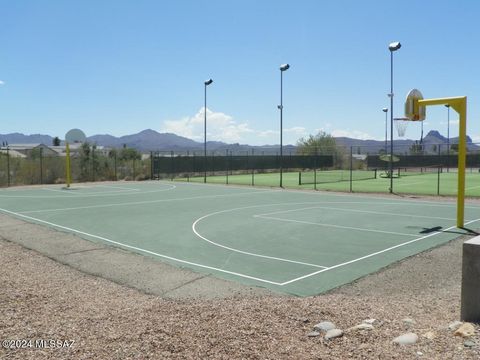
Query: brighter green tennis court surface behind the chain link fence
430,183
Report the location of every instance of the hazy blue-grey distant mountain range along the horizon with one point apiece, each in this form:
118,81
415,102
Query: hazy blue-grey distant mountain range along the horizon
150,140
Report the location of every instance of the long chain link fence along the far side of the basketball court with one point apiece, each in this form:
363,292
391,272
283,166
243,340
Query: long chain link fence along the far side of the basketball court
415,168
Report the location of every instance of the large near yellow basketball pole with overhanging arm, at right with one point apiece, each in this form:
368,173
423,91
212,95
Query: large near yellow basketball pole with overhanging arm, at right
460,106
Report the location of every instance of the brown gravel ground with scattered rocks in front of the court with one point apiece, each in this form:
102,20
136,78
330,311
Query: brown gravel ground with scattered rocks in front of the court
43,299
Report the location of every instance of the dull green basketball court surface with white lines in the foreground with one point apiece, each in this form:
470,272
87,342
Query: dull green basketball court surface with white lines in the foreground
297,242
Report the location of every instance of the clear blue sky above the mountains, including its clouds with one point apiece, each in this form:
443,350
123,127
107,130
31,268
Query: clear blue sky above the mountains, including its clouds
120,66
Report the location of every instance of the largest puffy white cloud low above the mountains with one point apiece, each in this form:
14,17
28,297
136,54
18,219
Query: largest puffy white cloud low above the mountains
220,127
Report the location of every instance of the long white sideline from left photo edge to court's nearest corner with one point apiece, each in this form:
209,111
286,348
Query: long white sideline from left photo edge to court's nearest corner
139,249
